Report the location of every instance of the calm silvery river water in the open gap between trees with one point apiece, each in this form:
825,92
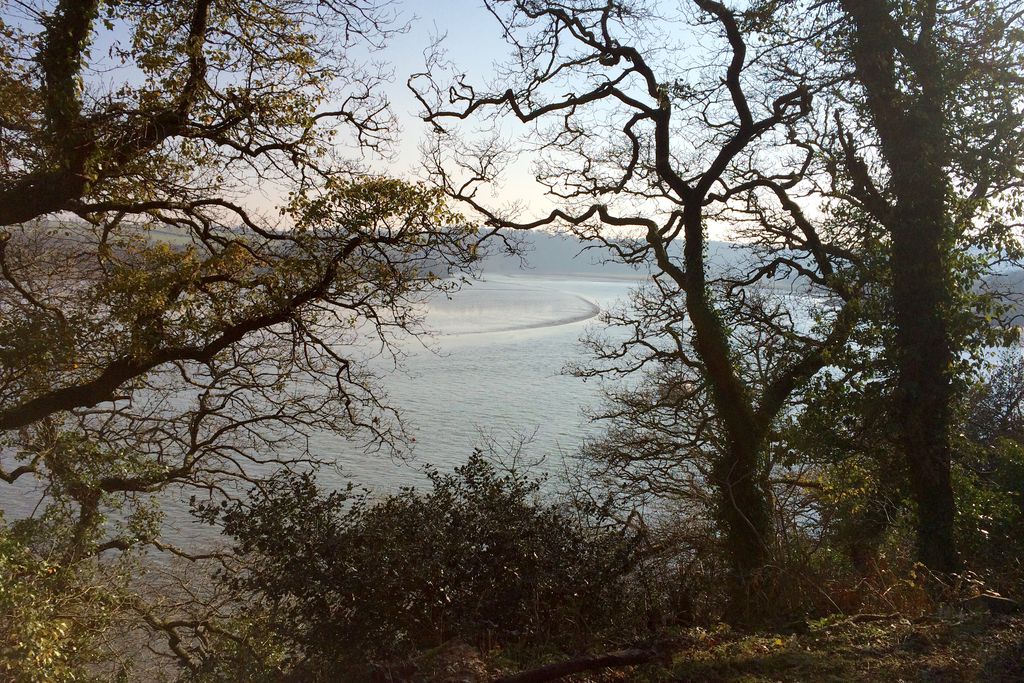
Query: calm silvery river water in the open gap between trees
494,368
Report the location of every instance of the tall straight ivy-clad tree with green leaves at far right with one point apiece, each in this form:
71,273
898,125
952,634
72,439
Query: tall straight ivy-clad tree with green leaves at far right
935,93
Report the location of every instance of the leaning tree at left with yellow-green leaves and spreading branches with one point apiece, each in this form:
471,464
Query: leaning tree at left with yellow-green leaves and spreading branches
160,327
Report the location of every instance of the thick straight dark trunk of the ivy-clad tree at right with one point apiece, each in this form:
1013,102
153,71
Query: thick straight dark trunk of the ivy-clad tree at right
911,125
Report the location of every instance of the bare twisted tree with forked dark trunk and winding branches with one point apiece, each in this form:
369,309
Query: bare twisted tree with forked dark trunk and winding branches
646,142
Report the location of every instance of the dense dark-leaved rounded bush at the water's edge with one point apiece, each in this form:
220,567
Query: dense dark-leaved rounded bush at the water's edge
349,580
